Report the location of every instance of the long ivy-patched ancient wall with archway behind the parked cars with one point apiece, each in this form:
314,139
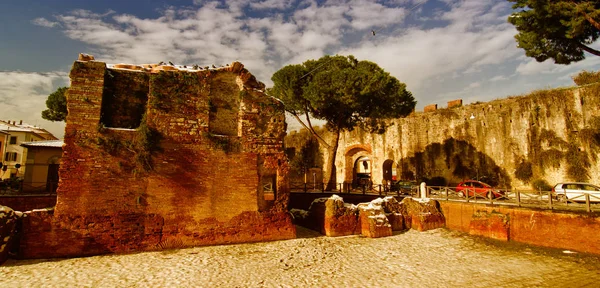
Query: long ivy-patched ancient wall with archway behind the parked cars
556,131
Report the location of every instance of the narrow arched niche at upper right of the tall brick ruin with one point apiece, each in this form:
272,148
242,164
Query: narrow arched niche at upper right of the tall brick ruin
224,106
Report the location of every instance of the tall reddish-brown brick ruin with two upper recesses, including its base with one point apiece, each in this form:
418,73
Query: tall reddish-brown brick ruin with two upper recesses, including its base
164,159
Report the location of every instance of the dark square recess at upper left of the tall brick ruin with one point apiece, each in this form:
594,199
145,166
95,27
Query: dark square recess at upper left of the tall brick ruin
124,98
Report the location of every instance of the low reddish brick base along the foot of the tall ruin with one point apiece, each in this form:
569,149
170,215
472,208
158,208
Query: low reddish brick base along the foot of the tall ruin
45,235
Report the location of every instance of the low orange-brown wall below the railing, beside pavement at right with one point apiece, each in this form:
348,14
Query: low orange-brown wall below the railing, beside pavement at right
547,228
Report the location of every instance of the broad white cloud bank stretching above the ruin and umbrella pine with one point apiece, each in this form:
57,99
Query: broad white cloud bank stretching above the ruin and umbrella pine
435,52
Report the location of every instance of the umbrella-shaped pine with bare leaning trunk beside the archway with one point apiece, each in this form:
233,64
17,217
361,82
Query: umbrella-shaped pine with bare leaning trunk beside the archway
344,92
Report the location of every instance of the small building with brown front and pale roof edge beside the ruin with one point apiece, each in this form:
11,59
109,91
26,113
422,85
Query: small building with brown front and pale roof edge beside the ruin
41,167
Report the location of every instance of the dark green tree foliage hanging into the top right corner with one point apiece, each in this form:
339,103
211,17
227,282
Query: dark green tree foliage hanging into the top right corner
557,29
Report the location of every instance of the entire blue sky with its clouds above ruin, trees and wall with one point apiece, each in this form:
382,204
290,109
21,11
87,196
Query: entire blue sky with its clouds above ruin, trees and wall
442,49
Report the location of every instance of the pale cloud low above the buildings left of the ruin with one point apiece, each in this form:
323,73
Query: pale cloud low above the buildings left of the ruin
23,97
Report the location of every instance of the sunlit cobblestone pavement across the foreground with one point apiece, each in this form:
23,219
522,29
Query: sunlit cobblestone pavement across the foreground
437,258
